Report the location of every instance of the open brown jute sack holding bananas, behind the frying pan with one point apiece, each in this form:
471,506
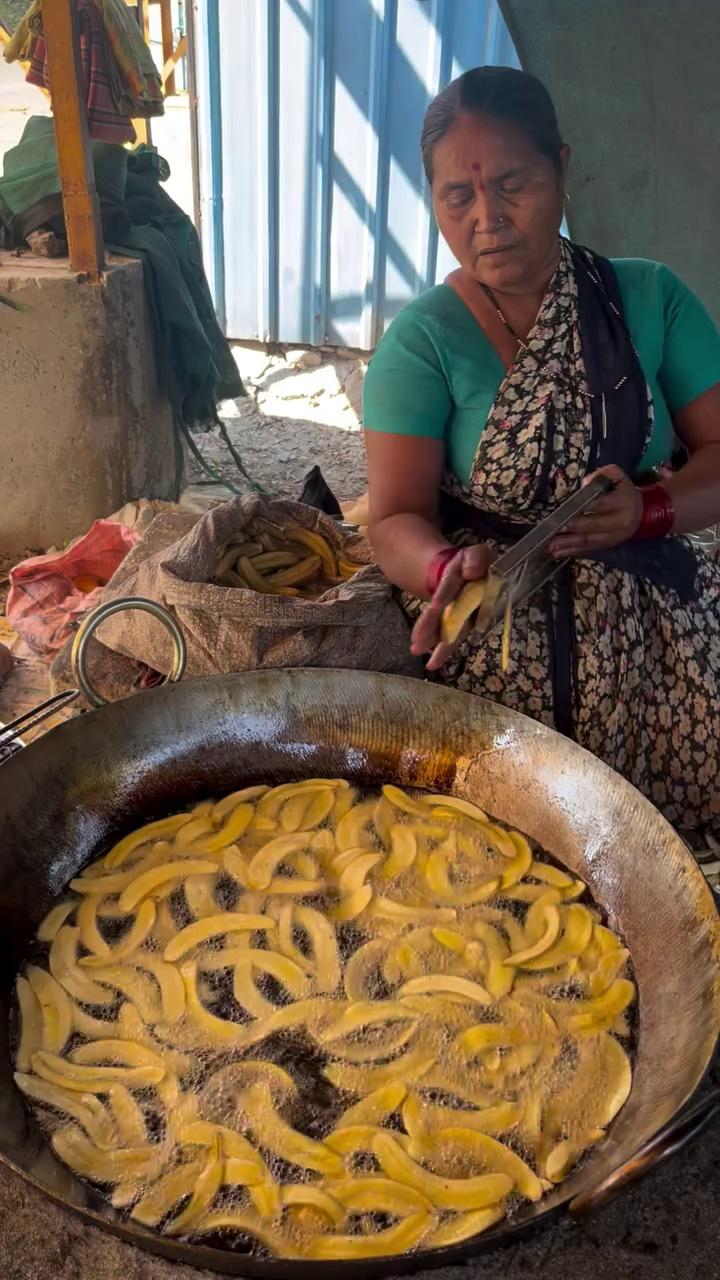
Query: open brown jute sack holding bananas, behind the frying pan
358,624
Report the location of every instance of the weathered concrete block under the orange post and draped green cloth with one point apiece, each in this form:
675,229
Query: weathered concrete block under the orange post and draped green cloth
84,424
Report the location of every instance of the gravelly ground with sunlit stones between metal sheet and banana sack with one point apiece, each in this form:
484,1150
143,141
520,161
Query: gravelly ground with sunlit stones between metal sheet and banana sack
303,409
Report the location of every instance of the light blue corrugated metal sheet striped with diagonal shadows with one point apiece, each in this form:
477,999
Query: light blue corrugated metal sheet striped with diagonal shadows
316,217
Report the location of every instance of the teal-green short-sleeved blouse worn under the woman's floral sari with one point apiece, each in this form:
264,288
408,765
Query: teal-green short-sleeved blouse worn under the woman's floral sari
436,374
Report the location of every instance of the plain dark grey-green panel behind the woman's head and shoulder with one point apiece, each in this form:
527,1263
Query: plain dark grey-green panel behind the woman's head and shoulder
637,90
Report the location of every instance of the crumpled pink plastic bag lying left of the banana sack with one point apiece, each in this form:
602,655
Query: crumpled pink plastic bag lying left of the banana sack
45,597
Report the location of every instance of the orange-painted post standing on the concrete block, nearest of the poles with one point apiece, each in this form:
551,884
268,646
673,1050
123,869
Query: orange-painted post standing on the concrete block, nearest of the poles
75,156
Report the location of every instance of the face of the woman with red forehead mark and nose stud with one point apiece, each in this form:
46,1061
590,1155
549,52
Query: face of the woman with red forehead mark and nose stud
499,203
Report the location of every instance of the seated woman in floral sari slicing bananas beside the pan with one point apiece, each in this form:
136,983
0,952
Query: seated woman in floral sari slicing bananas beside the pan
498,395
